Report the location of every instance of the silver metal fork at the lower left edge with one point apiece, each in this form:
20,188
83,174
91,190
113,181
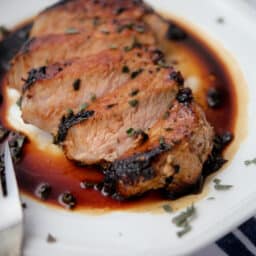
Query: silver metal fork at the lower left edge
11,217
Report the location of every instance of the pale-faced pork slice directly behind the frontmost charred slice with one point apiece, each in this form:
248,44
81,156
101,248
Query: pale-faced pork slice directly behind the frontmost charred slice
132,108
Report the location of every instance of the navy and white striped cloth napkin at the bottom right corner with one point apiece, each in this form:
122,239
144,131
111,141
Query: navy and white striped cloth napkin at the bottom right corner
240,242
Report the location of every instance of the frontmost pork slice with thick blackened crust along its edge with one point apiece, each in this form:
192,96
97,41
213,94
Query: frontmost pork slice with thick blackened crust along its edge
171,159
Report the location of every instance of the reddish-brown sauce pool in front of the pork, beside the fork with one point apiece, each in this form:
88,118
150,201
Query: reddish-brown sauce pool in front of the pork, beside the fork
62,175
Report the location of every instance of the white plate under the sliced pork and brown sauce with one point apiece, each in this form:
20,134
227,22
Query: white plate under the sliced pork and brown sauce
131,233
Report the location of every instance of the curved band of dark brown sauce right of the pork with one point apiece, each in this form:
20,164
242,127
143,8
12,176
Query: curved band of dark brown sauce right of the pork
216,77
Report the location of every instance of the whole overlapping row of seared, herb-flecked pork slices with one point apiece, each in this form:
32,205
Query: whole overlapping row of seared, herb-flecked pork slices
139,123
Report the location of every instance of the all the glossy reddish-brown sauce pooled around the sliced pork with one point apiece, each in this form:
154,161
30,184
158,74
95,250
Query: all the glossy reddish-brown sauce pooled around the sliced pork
38,167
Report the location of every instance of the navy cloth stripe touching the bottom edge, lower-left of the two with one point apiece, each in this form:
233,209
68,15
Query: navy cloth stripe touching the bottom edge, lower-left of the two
232,246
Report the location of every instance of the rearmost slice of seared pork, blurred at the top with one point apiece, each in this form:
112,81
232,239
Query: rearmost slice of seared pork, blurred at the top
88,15
